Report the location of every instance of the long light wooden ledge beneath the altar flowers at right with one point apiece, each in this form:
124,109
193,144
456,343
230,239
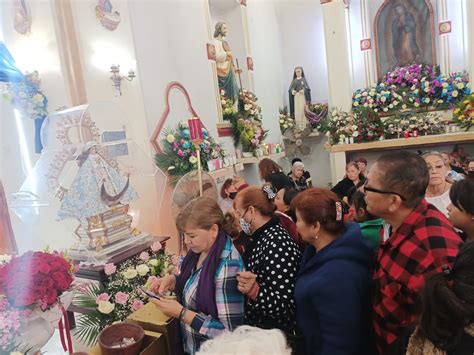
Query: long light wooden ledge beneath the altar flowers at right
405,142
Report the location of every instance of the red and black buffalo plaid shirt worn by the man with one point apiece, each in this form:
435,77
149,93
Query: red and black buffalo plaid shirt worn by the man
419,248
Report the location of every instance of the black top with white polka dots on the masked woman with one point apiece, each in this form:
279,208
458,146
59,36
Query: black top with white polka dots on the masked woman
274,257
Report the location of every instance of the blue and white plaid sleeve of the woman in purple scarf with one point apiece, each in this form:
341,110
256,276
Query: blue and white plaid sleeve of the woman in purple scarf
229,301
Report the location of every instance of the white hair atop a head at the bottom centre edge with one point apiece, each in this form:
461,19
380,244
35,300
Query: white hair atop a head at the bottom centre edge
247,340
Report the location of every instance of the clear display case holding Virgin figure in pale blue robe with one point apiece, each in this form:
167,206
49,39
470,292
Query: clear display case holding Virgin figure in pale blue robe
85,193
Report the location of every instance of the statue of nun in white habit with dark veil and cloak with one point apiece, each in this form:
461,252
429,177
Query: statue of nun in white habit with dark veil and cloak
300,95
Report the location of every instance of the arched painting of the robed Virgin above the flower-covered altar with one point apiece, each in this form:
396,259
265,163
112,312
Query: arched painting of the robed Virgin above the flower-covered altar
404,34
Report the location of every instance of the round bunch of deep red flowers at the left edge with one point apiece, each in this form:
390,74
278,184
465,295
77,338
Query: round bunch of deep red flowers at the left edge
36,279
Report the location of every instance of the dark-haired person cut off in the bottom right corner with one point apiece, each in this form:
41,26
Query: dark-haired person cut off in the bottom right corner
446,324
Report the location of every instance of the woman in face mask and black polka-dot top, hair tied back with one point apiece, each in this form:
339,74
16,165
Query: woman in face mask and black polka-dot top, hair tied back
271,259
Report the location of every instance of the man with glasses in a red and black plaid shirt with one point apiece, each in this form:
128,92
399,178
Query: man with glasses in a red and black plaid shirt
421,240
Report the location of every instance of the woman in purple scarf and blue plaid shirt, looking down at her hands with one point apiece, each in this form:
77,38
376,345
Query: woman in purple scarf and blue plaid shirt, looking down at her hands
208,301
